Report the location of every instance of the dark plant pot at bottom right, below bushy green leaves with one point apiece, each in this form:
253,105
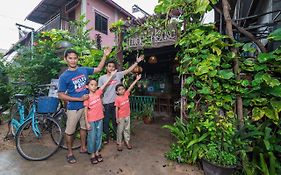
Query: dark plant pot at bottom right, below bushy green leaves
213,169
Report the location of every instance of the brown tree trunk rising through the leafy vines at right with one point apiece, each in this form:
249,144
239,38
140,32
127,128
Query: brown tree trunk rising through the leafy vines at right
229,32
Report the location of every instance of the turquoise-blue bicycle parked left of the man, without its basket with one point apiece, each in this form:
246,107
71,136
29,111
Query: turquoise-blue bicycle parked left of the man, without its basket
36,134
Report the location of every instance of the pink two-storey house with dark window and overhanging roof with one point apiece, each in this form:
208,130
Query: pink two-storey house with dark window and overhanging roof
56,14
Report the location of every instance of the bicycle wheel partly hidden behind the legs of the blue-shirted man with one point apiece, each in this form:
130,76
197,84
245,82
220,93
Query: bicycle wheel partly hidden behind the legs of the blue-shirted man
61,119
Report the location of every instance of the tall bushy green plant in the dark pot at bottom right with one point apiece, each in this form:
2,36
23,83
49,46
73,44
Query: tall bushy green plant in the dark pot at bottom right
220,157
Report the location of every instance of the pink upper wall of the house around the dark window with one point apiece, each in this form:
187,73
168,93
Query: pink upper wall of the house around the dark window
107,11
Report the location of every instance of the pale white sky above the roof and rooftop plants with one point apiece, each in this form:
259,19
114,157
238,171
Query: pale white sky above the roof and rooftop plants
15,11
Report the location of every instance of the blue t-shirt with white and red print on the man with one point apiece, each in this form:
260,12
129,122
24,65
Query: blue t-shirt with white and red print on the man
73,83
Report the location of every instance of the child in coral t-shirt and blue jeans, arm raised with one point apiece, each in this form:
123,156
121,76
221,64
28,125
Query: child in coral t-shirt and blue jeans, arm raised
93,118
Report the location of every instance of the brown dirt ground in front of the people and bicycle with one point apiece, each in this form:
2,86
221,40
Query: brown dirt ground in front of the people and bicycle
150,142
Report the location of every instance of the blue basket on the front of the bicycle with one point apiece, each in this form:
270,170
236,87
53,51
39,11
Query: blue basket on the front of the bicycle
47,104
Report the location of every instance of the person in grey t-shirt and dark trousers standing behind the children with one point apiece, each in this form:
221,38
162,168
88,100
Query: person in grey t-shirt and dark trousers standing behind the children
110,94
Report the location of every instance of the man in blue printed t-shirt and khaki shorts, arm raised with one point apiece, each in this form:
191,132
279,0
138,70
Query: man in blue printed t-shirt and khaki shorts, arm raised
72,88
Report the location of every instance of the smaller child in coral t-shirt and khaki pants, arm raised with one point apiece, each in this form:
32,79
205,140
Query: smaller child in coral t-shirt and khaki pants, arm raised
122,108
